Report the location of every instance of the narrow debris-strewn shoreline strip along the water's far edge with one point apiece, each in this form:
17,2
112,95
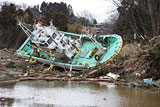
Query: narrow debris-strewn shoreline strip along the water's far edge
130,84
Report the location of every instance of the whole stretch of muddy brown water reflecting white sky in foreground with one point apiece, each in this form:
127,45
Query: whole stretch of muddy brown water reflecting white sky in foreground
74,94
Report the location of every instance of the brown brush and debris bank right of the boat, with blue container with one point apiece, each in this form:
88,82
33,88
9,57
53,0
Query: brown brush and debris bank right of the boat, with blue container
140,65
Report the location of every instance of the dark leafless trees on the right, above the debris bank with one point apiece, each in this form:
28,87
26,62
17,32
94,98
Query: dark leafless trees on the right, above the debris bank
137,16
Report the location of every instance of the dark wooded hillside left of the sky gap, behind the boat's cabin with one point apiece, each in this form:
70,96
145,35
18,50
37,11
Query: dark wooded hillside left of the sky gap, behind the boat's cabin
11,35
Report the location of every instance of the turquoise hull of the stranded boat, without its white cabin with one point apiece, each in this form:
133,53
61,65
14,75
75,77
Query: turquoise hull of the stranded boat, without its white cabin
82,61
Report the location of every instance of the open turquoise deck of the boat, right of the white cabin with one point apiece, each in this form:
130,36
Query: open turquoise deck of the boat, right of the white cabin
111,44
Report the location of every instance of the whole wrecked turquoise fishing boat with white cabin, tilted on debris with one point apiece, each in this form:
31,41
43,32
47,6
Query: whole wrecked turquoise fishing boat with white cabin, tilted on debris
47,45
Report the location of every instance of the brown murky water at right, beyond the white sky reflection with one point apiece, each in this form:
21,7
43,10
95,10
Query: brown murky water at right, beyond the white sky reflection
140,97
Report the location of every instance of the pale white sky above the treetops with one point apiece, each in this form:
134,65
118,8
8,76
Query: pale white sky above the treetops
101,9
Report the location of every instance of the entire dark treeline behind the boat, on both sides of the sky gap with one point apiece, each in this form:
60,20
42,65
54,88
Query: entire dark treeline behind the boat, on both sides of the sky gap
140,17
